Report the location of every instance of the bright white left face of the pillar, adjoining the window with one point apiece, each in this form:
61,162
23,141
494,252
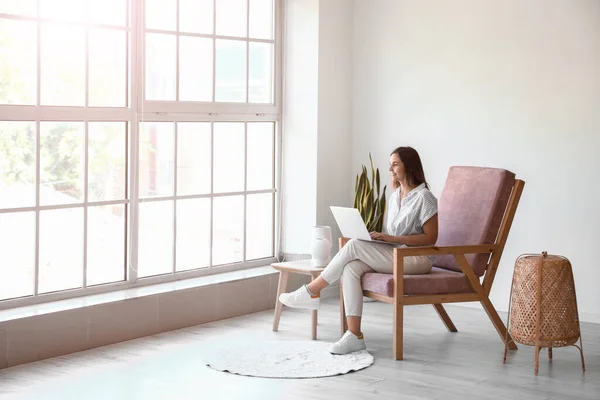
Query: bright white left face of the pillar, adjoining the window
299,174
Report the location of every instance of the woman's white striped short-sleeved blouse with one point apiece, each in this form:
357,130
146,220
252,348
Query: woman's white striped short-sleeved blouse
408,216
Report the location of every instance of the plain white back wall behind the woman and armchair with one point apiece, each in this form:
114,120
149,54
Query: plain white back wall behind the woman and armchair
509,84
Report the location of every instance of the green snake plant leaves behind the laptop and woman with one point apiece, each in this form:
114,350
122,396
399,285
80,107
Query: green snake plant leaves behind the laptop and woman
367,199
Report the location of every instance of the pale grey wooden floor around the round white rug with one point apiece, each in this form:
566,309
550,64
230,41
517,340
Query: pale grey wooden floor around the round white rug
437,365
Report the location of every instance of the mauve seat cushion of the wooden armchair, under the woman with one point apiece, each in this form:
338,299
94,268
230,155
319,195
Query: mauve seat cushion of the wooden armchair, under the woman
438,281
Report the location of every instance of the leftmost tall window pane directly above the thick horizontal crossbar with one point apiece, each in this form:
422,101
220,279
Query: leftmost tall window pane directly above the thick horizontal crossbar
18,62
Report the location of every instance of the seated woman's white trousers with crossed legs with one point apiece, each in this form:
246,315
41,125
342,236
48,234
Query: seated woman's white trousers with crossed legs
358,257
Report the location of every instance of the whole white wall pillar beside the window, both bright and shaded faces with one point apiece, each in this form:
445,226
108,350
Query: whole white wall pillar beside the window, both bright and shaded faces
317,122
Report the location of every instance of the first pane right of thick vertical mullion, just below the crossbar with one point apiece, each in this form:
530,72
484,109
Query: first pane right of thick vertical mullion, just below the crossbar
157,154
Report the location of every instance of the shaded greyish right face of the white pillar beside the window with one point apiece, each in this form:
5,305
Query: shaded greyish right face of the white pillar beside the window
334,186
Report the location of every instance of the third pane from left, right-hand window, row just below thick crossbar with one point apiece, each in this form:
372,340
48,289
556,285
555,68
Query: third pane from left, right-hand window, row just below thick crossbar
228,174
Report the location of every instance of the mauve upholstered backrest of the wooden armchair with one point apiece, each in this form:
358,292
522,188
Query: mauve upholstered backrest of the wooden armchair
470,211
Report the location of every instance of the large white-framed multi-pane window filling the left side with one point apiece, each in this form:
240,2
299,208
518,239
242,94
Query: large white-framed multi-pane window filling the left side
138,142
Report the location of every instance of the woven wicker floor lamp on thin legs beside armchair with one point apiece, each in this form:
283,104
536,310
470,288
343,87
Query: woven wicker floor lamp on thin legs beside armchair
543,304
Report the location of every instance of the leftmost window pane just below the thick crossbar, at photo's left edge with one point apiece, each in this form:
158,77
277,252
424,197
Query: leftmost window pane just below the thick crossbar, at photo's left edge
17,164
